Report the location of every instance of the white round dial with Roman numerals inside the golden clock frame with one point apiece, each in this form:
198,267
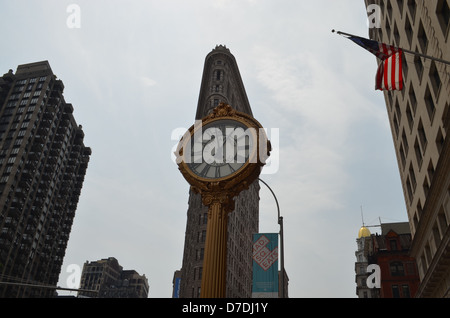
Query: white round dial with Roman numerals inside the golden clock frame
220,148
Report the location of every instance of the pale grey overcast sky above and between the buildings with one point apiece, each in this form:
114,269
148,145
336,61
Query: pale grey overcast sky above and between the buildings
132,70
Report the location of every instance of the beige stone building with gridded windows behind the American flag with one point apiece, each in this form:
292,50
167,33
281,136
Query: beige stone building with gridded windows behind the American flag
420,121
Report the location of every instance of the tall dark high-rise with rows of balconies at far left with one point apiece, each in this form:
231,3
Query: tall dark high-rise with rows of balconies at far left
43,163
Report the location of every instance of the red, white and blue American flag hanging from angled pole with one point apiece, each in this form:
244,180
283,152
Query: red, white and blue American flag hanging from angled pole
389,74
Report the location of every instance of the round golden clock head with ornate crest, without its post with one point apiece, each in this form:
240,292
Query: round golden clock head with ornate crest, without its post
226,149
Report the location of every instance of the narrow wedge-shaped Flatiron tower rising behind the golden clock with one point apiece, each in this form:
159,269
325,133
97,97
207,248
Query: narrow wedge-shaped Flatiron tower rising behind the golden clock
221,82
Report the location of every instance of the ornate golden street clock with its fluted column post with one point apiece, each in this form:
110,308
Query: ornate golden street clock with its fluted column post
219,176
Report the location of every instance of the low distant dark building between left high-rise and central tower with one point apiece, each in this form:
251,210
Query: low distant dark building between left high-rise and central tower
107,279
